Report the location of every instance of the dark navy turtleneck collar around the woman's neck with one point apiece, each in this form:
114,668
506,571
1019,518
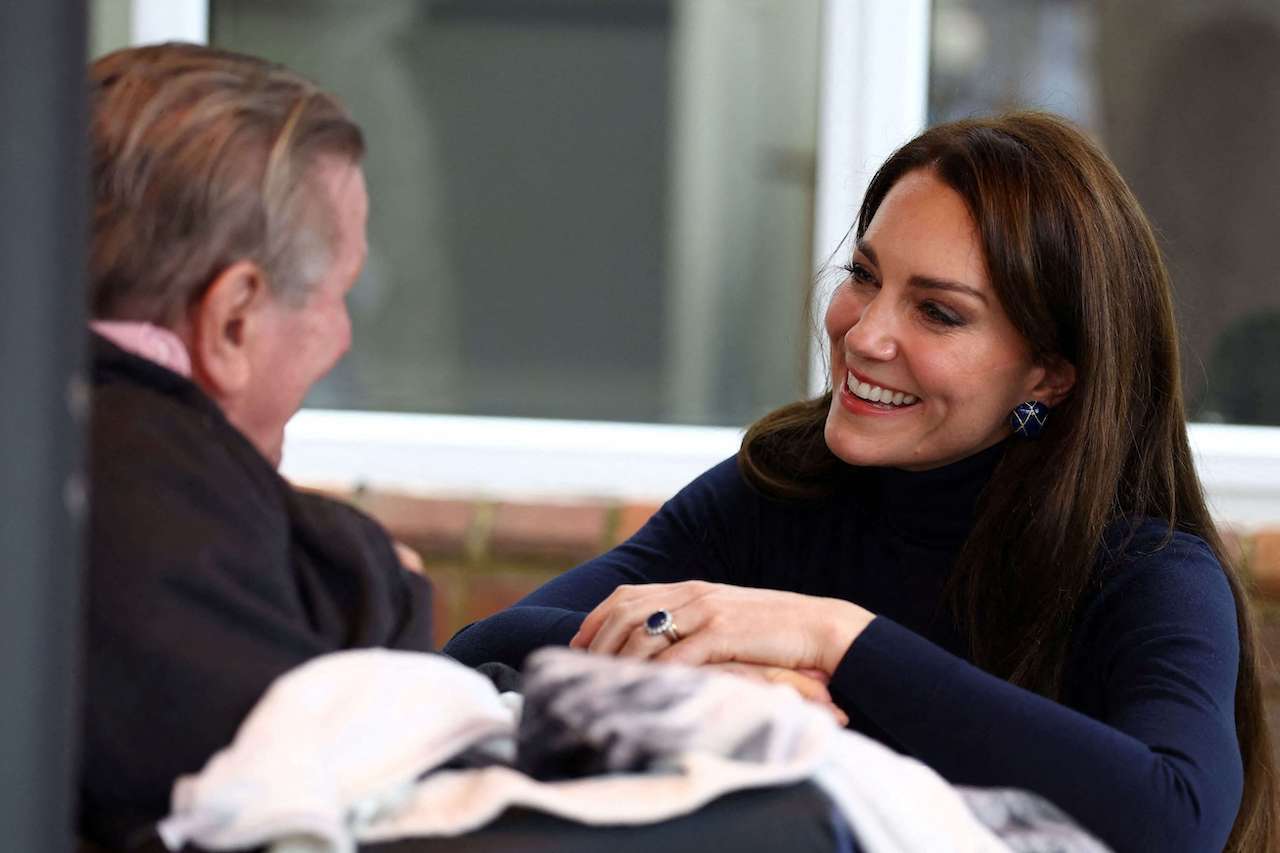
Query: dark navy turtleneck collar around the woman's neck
934,508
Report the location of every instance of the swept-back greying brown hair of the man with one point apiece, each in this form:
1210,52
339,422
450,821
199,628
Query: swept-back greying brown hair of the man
202,158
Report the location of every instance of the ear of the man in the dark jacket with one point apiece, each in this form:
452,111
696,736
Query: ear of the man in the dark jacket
222,327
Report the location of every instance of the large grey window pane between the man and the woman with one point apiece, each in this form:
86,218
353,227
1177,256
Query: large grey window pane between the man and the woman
580,209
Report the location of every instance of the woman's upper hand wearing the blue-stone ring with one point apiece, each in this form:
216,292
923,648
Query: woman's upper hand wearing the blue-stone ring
719,623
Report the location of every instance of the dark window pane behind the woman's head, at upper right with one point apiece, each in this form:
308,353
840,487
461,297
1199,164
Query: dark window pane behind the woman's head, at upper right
1190,111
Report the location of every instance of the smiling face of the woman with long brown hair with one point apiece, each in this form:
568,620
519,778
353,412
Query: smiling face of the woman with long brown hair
926,366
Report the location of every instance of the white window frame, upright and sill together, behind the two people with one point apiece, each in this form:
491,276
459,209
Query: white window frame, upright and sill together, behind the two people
874,98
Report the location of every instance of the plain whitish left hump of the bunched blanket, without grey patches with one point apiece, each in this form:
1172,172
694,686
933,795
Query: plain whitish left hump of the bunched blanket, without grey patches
332,745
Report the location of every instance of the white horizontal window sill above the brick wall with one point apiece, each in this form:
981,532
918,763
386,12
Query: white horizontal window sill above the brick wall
565,462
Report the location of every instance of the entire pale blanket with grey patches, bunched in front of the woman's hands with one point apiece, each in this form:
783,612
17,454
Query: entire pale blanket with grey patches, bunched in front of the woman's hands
362,746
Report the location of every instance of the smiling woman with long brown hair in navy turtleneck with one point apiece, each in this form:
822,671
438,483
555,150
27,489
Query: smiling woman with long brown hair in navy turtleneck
1057,615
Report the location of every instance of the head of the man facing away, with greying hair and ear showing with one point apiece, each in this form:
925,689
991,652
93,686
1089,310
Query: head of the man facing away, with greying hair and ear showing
230,208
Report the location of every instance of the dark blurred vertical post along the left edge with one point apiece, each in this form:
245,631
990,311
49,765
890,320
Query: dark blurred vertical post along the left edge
43,257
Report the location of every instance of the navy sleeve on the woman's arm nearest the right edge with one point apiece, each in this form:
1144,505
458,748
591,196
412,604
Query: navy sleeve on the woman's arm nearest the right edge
1156,658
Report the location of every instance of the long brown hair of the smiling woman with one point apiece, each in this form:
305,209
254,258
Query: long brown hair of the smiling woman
1076,266
